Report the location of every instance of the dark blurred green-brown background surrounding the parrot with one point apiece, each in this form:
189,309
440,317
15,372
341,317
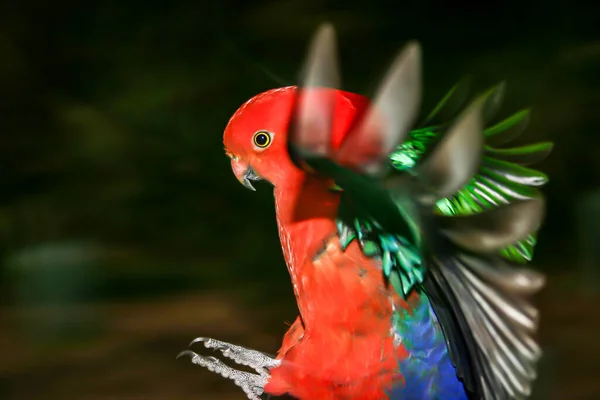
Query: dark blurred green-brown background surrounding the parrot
123,233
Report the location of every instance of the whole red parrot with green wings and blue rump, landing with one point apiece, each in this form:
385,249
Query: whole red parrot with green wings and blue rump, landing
405,239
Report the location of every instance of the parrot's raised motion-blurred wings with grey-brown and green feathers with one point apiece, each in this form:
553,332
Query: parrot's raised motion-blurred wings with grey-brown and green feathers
444,209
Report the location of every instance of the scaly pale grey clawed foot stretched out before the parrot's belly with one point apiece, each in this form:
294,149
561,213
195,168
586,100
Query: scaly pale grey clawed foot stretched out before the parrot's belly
252,384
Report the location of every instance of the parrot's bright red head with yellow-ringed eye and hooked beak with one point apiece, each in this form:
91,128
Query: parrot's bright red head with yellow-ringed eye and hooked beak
256,136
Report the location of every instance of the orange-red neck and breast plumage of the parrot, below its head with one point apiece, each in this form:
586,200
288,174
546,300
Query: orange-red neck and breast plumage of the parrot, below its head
342,345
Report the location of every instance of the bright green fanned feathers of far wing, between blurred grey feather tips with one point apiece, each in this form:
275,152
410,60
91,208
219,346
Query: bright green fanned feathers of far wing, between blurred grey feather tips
502,177
